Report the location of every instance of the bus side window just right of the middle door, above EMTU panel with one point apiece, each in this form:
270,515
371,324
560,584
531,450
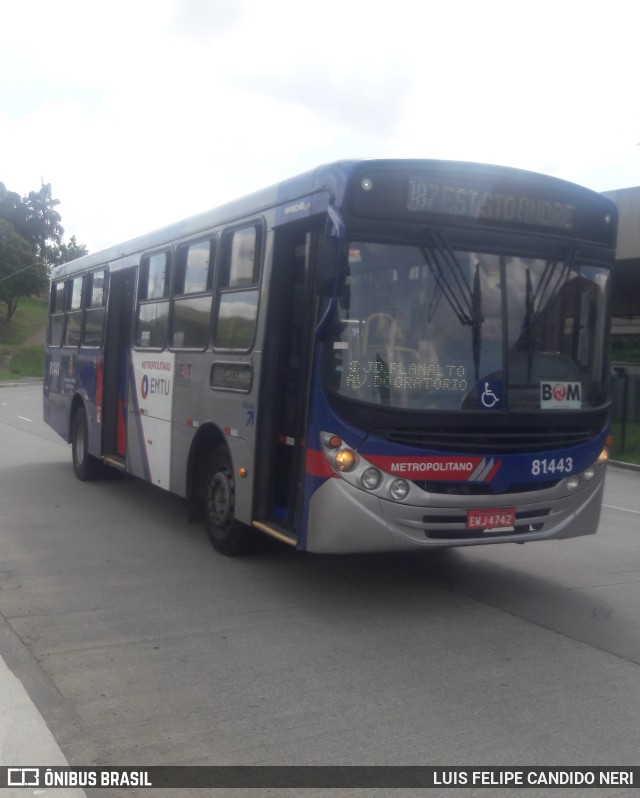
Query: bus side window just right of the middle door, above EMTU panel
153,301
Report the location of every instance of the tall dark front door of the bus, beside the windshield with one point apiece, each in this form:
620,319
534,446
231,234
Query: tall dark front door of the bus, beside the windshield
287,365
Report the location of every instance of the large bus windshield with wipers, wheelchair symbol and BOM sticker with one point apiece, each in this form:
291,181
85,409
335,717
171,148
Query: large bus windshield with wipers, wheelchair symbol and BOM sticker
438,328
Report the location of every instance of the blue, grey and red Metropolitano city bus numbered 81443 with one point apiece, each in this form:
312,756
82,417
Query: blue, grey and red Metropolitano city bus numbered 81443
374,356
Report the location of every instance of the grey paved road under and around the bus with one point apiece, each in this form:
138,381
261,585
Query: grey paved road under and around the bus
137,644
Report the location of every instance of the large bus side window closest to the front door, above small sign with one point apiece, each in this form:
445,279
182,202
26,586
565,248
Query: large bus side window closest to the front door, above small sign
238,292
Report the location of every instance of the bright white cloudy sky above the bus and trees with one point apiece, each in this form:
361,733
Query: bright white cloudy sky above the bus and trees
143,112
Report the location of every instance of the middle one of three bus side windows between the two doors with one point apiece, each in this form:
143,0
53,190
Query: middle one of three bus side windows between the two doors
191,315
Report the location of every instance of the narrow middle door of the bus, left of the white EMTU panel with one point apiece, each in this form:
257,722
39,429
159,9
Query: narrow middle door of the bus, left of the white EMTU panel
116,349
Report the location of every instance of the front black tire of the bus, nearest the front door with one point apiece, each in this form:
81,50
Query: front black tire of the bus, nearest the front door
227,535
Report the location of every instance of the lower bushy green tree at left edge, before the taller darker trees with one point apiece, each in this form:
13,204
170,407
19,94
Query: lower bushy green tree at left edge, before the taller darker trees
22,273
